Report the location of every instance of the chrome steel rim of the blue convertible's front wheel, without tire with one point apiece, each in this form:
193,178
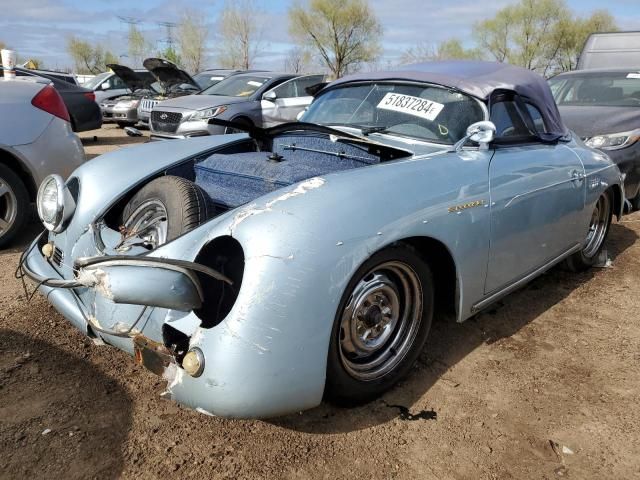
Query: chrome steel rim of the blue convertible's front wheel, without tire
380,321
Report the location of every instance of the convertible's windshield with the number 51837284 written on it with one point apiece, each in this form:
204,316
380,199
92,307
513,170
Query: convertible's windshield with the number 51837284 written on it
424,112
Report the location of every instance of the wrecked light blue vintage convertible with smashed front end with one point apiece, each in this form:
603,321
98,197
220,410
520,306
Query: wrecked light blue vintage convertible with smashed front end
261,273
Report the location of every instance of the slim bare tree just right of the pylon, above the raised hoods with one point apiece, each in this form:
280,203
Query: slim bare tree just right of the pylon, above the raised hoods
192,40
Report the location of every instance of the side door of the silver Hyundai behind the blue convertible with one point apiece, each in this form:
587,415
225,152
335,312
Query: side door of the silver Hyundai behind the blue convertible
284,102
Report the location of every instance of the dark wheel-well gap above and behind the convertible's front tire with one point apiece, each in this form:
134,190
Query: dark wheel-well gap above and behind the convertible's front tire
443,267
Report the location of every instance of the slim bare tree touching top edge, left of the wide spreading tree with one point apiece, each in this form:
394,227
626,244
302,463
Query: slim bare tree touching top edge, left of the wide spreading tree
240,34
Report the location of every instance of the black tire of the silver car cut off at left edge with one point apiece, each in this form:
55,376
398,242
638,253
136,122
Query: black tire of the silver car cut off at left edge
14,206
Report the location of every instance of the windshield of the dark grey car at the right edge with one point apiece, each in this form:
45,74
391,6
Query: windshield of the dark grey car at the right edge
614,89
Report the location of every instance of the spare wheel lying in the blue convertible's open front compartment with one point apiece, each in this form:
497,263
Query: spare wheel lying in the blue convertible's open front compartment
166,208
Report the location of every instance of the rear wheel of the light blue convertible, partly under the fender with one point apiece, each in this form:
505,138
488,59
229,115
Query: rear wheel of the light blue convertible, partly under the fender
596,235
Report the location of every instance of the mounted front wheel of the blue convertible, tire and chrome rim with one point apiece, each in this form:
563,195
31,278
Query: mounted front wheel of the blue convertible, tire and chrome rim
381,326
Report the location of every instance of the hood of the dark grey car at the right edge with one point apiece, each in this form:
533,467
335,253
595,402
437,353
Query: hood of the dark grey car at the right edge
590,121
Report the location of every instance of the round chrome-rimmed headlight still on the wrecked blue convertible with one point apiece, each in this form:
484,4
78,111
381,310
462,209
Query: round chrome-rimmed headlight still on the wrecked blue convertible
55,203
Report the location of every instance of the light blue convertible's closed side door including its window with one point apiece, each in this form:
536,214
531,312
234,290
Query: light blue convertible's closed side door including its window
537,195
